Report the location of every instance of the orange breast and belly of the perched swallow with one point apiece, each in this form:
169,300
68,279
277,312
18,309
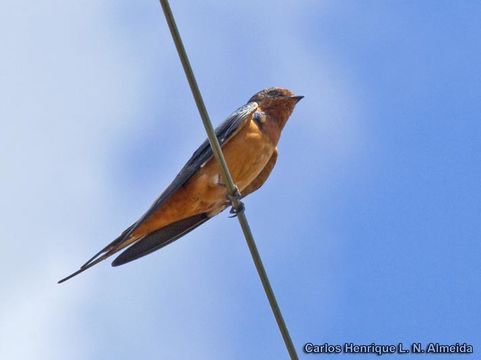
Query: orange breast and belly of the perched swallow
247,153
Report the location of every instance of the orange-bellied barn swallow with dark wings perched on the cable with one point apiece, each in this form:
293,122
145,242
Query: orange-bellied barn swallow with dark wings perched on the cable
249,138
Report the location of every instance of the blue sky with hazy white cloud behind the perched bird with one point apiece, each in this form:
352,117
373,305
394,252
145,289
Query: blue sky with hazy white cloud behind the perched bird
369,226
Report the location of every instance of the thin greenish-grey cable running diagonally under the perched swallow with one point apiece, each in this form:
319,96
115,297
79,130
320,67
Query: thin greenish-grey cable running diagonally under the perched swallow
231,187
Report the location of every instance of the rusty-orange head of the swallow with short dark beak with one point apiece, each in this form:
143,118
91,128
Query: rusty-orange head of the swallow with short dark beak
277,102
